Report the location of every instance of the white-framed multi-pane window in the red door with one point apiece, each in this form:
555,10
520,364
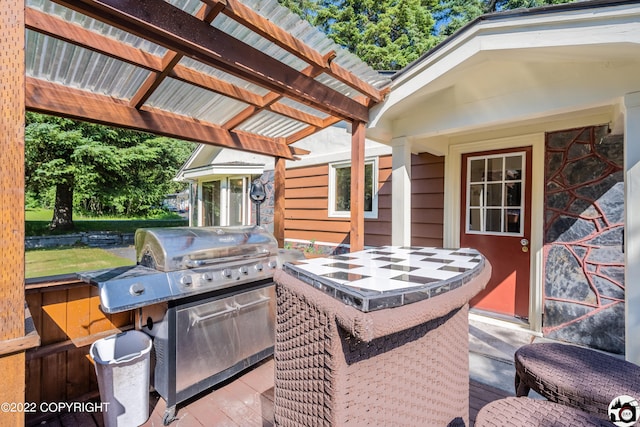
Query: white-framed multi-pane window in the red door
495,202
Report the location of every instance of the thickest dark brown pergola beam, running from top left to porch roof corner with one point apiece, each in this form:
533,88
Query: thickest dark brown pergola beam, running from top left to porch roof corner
168,26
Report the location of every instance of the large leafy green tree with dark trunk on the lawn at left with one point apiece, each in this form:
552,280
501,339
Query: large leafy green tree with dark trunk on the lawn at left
98,169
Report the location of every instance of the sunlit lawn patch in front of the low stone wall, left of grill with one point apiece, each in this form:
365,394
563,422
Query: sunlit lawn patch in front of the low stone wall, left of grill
49,262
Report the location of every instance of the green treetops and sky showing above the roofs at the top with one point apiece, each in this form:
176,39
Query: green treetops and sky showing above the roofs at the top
390,34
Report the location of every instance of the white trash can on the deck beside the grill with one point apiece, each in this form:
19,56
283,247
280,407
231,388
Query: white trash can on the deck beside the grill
122,367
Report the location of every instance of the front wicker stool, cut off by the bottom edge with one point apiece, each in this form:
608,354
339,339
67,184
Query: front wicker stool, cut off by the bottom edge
523,411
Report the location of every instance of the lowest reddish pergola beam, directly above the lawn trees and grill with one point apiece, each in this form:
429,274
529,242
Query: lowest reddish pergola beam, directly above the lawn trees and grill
51,98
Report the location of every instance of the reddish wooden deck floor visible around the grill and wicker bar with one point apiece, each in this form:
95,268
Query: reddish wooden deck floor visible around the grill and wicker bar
245,400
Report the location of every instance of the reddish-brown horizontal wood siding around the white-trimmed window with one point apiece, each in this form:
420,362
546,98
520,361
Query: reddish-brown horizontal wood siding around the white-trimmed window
307,200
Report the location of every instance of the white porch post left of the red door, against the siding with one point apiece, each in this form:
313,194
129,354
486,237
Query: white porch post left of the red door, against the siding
401,191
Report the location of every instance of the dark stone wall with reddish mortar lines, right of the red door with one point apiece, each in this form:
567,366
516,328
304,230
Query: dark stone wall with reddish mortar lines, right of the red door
583,239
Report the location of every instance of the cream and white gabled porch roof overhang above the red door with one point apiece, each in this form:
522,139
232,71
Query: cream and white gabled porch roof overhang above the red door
524,68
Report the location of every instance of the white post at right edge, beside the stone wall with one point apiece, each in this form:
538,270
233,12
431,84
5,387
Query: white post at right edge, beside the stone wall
632,225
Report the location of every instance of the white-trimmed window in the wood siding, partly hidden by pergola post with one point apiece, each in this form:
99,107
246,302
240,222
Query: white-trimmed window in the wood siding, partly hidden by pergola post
340,189
